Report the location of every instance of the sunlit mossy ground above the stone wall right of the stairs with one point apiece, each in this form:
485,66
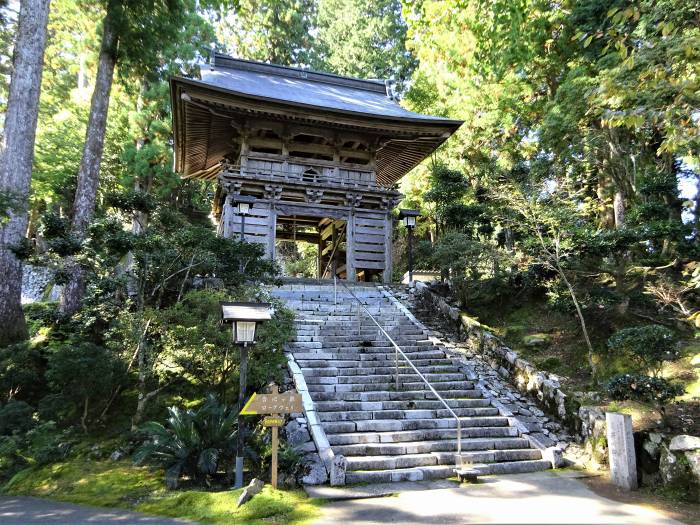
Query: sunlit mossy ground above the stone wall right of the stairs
551,340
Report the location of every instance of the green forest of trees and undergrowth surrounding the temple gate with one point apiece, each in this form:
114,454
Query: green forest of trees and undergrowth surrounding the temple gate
564,210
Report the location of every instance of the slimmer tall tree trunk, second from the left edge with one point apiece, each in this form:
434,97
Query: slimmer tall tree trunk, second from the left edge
88,174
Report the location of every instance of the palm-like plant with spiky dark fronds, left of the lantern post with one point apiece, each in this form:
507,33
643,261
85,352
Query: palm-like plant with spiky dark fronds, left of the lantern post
192,442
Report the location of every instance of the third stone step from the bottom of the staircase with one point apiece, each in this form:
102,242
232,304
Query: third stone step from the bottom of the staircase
421,447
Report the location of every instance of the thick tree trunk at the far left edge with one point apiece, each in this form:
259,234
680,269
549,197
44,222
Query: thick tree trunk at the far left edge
17,151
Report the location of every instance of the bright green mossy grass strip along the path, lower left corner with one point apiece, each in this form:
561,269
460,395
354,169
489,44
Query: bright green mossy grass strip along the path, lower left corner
121,484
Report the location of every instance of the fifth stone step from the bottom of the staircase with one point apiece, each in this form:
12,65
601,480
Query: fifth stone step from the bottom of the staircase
393,425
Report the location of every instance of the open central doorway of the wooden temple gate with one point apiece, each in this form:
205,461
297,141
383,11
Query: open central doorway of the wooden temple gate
307,246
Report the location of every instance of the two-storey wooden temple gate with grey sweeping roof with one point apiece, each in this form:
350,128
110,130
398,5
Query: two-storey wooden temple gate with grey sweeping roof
320,154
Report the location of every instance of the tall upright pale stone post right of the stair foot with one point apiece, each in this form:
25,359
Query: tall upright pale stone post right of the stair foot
623,464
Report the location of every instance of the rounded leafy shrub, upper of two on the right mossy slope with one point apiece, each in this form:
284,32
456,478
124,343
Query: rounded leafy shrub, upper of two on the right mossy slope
649,346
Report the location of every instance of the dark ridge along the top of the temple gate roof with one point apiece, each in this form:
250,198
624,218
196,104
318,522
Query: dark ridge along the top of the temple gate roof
228,62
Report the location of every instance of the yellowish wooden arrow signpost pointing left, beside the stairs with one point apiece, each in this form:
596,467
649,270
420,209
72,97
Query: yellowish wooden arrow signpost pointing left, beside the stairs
273,404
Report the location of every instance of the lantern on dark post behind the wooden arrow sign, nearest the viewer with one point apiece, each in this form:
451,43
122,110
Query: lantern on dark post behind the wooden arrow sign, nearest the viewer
244,319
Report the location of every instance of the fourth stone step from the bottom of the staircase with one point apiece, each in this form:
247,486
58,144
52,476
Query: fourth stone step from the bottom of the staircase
351,438
